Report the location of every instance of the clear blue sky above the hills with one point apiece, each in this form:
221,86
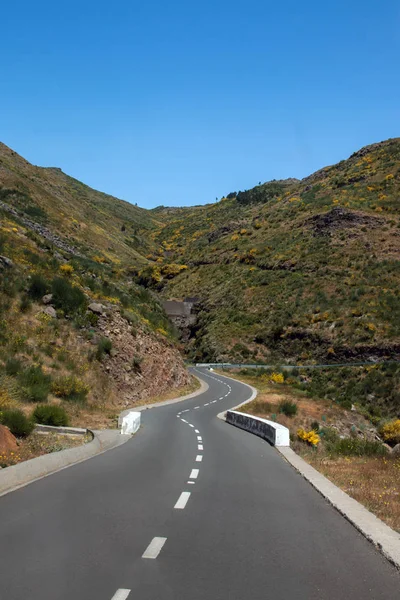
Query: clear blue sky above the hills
178,102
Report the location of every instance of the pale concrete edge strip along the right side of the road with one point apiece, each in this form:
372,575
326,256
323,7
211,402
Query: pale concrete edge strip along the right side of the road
383,537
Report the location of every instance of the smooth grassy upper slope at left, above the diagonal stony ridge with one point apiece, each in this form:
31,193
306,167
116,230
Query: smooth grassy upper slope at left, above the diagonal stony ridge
95,224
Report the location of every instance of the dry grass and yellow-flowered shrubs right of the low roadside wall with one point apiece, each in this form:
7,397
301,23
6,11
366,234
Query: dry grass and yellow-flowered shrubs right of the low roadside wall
356,450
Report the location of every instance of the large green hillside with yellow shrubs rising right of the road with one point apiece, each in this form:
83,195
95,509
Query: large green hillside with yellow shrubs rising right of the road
294,271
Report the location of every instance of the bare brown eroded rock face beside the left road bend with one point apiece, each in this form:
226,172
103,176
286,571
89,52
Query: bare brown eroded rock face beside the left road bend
141,364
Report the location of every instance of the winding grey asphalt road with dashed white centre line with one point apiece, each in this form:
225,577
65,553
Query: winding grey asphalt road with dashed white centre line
237,524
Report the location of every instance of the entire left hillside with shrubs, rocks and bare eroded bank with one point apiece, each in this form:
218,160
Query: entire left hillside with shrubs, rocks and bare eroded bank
75,330
